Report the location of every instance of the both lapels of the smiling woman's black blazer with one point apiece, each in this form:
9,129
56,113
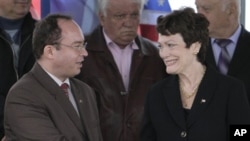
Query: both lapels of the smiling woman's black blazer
204,95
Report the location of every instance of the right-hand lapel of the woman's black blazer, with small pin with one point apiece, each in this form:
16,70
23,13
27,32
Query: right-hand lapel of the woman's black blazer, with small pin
203,97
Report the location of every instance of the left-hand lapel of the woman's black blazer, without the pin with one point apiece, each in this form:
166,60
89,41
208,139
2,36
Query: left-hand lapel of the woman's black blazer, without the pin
173,100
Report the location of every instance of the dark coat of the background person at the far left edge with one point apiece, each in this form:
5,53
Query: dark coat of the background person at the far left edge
8,73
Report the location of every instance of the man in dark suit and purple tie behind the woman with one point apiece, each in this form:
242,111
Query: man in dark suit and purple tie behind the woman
224,18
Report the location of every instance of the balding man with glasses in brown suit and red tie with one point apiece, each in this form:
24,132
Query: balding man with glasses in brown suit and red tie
36,107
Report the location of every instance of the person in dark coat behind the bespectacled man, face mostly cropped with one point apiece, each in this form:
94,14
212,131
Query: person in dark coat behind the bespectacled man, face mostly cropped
16,57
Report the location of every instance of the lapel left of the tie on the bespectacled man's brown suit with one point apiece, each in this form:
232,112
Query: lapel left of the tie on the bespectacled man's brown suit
50,85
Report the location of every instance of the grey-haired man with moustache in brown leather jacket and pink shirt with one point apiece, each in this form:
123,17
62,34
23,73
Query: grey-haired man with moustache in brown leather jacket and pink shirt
121,68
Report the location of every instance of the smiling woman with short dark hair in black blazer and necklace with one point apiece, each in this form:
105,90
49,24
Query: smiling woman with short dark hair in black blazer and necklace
195,103
